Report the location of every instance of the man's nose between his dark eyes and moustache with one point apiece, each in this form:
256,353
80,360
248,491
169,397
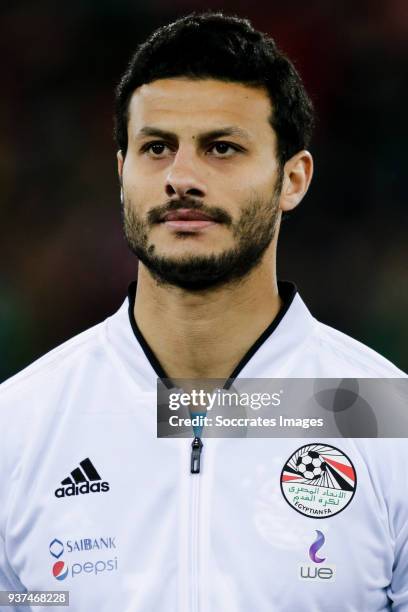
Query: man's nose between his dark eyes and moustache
182,179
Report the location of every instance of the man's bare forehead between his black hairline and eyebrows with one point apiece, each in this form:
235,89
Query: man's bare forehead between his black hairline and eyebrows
199,104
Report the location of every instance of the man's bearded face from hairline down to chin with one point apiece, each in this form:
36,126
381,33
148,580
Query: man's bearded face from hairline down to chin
201,180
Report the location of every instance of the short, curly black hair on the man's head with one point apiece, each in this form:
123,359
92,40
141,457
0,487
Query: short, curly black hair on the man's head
228,48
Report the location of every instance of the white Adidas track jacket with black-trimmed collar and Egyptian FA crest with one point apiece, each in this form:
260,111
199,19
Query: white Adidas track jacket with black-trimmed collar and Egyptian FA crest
93,503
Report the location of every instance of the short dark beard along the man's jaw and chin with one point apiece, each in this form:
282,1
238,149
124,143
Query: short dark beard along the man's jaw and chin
253,233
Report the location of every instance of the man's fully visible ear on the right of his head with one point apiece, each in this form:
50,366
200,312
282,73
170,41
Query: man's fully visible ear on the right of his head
297,175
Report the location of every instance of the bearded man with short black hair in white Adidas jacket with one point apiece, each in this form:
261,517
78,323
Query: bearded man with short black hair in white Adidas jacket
213,124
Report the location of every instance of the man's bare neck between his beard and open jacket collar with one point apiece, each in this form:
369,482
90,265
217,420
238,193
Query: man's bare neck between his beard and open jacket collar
205,334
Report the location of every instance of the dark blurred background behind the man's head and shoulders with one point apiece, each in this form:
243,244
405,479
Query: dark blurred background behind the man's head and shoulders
64,264
